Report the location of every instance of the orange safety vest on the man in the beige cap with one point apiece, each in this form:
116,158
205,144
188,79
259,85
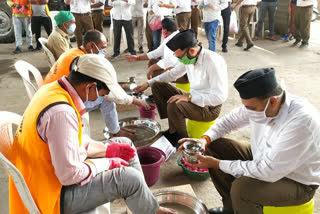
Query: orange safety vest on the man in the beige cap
31,155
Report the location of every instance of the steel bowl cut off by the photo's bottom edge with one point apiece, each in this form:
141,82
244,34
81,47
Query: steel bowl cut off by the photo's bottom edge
181,200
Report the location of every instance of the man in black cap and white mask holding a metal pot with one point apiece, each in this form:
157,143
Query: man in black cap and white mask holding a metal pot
281,165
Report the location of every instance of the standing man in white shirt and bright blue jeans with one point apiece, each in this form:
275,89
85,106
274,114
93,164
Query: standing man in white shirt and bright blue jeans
211,14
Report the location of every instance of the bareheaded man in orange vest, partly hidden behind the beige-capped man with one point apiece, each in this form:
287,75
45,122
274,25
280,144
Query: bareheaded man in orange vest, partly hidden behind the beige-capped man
94,42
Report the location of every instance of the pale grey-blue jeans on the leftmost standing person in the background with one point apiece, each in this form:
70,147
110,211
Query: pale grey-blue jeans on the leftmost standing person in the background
20,23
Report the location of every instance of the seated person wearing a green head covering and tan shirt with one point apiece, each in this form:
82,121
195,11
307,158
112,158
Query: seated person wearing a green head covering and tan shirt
58,41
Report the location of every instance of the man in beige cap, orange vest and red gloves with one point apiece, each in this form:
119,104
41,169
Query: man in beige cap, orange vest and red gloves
64,173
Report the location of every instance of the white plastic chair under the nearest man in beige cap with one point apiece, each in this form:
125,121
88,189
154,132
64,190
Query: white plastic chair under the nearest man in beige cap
7,119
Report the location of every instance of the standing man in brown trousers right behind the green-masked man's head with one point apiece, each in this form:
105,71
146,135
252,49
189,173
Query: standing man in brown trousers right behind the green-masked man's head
183,14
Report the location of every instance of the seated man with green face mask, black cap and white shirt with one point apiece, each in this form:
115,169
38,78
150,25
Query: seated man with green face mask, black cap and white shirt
207,74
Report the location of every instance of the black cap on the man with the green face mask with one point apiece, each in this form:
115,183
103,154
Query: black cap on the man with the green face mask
184,39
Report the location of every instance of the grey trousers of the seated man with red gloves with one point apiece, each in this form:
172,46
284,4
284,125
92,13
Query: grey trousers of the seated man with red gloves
124,182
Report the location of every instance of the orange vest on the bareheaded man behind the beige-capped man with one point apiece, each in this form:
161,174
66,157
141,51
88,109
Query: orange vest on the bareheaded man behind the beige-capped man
62,66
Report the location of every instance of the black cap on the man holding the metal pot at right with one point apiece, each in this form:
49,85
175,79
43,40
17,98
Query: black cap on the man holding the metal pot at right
256,83
